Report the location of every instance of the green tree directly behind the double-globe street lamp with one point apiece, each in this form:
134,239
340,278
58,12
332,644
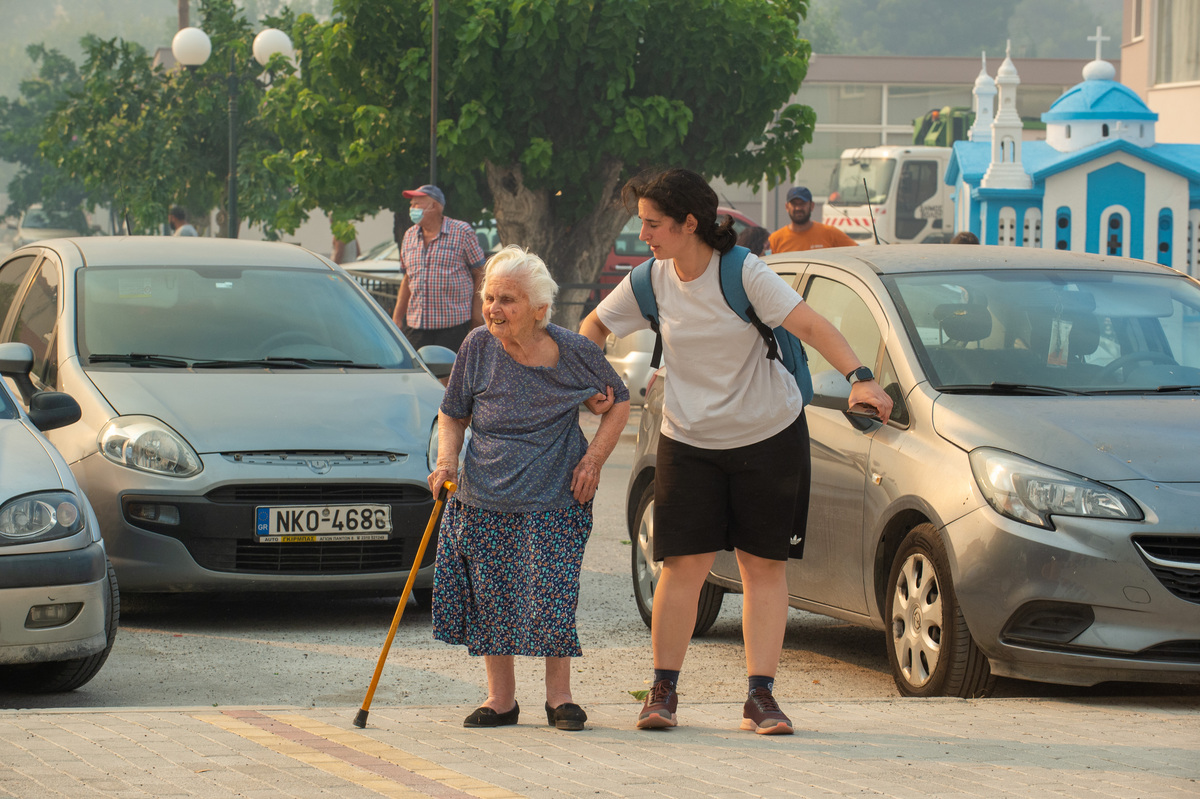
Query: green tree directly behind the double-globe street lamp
145,140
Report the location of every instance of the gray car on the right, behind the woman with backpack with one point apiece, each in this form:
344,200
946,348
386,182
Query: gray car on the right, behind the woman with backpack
1033,508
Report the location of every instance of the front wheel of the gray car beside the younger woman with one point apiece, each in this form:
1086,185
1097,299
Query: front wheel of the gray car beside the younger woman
929,646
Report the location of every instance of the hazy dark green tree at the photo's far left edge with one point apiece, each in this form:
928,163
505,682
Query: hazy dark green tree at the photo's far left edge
22,125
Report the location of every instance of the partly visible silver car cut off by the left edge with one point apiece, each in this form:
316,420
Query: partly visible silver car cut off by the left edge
59,603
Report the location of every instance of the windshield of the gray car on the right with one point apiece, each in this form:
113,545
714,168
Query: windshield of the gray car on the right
1054,332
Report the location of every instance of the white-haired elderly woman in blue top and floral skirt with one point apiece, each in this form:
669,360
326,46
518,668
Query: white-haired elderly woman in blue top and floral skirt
512,542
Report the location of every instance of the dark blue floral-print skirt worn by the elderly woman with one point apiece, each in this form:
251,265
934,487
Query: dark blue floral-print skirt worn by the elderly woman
509,584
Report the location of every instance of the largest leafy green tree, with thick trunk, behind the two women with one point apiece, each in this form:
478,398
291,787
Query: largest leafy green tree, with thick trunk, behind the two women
548,106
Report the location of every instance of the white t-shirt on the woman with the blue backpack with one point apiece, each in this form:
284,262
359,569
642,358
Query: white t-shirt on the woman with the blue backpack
723,393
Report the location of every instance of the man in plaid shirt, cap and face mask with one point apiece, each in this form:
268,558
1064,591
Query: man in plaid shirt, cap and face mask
441,263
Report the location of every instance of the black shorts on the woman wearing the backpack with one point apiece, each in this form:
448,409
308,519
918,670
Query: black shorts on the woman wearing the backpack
753,498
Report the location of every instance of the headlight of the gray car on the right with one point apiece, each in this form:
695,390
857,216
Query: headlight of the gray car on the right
1033,492
